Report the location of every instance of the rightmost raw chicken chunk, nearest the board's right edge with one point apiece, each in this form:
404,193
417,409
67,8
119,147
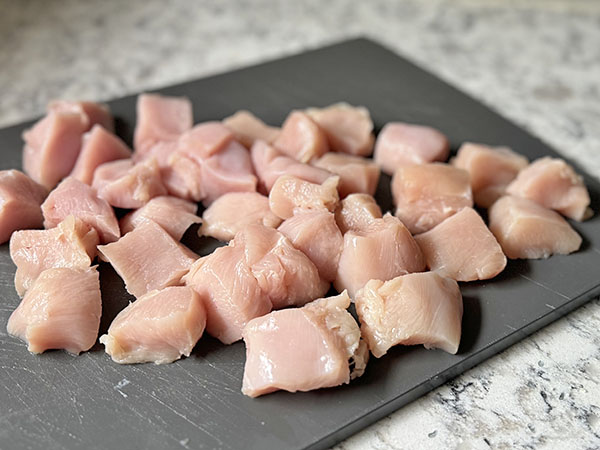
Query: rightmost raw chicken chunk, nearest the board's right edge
553,183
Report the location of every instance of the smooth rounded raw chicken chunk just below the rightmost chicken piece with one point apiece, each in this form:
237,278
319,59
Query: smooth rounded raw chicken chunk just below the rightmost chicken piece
527,230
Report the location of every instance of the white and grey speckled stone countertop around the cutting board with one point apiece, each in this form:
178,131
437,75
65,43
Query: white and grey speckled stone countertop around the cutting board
536,62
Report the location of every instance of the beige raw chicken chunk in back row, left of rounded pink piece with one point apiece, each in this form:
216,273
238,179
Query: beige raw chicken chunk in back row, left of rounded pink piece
349,129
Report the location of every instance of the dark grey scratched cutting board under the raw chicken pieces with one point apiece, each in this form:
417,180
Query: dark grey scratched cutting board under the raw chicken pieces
57,401
